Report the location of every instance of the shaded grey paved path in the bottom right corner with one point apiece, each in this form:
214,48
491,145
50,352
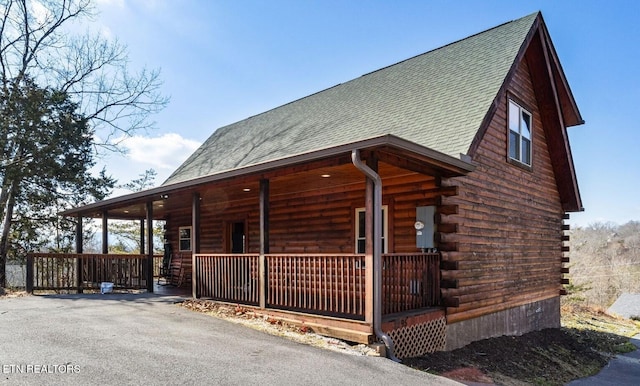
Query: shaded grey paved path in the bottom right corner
623,370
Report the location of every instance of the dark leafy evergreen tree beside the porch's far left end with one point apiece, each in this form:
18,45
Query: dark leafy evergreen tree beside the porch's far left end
45,162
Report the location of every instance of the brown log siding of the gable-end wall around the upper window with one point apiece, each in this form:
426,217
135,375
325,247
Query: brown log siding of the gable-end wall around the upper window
508,248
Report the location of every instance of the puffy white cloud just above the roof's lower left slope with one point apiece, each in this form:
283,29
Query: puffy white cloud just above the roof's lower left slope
165,152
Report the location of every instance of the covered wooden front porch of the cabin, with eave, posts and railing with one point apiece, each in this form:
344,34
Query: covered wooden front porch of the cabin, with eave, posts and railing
328,239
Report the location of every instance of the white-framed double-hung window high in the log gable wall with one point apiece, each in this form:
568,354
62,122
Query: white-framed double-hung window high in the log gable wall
520,129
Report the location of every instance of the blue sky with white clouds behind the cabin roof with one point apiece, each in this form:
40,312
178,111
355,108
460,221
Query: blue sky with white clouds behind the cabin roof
223,61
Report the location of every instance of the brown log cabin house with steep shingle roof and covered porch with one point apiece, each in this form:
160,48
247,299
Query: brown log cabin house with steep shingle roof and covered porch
421,205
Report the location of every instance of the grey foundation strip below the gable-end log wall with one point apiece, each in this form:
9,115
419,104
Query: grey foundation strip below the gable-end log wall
514,321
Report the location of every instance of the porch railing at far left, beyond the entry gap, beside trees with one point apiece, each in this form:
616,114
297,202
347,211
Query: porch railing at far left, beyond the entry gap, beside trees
74,271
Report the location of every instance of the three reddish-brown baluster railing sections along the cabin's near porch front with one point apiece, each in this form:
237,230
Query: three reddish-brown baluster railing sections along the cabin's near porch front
327,284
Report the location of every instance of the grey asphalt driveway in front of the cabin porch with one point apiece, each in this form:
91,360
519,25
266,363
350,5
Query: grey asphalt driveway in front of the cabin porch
147,339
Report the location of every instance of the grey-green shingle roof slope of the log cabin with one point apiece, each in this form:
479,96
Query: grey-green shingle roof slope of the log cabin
437,100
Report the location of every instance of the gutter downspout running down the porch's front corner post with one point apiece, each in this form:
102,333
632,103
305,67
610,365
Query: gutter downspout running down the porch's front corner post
377,253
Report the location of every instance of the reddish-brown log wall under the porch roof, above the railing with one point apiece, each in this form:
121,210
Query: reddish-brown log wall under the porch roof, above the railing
317,221
